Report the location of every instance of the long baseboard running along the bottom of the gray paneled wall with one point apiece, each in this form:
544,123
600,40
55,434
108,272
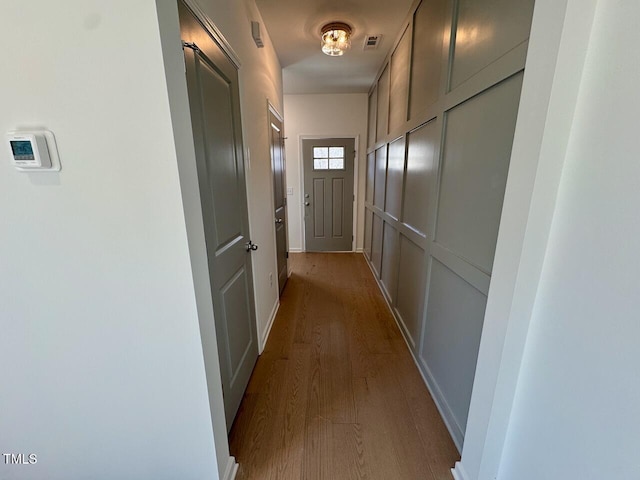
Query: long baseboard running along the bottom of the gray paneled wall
445,411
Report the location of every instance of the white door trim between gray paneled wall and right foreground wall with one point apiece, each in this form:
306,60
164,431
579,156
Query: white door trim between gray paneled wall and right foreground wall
557,48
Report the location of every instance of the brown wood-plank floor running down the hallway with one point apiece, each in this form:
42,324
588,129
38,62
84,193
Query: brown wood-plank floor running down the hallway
336,394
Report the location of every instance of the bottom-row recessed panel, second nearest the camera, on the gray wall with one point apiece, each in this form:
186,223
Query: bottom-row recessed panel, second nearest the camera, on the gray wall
411,287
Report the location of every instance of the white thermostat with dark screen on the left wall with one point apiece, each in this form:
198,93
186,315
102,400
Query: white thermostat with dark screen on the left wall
33,150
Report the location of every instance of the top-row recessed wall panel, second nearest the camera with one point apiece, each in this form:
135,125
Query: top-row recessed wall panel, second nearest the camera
429,30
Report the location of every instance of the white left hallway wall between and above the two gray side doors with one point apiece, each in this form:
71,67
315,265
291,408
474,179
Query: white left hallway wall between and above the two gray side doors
260,80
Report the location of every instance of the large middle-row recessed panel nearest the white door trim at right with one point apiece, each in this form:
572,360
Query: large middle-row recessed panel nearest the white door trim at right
477,150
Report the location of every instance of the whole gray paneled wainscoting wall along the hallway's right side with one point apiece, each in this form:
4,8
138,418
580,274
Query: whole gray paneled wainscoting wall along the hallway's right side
442,115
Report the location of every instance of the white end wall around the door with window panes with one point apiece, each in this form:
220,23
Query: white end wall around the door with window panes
339,115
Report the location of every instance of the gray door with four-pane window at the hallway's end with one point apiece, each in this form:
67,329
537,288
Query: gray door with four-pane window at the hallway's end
328,194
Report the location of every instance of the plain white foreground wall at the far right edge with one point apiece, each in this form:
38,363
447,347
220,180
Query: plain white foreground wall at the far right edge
577,406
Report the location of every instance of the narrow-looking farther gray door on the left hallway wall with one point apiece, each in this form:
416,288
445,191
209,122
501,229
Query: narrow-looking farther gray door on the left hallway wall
279,195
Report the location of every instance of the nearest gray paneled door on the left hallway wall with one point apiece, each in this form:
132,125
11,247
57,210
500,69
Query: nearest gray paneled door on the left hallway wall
215,114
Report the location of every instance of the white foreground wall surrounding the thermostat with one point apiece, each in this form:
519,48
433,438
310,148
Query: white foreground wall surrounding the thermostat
103,374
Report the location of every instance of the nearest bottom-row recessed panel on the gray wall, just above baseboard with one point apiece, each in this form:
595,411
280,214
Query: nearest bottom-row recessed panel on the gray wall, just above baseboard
455,314
